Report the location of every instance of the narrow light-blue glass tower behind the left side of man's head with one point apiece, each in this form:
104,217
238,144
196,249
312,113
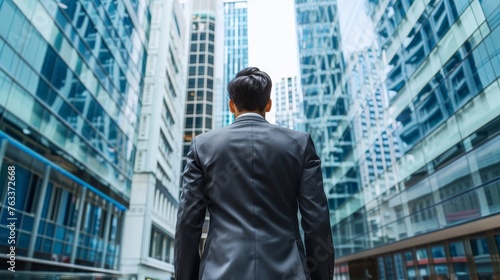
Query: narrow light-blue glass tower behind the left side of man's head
235,50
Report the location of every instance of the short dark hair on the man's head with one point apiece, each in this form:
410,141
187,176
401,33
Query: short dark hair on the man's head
250,89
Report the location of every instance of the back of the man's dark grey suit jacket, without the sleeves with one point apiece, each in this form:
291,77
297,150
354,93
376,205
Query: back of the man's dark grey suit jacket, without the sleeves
253,178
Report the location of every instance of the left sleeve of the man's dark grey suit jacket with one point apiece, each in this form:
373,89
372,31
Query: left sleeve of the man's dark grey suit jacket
190,218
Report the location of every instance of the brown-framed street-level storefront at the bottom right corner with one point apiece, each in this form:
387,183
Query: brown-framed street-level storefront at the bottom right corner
472,256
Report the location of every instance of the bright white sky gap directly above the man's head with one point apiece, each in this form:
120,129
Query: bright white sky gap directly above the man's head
272,39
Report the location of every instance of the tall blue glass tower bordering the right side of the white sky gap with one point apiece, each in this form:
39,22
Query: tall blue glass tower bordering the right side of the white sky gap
324,102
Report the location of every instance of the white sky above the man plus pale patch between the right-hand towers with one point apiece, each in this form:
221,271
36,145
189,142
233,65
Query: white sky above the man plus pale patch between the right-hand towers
272,36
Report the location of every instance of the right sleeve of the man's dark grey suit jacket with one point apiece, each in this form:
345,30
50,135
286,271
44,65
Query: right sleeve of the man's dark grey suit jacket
315,217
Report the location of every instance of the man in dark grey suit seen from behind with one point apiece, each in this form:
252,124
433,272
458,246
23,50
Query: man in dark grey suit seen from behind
253,177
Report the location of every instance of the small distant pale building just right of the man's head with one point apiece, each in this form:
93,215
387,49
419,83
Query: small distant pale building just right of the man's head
288,102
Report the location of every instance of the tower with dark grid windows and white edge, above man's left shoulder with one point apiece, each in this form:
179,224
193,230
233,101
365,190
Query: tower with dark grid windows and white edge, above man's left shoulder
205,69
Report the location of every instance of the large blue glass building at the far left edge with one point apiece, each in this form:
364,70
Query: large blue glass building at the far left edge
71,77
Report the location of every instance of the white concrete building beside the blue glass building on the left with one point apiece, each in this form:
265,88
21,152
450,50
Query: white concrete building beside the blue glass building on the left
149,228
